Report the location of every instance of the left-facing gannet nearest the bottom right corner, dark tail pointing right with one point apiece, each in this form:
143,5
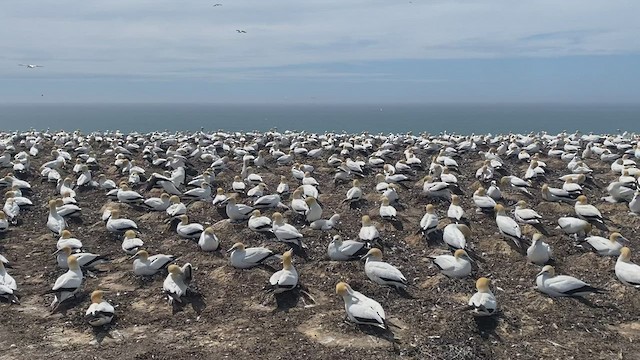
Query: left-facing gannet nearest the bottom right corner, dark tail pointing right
562,285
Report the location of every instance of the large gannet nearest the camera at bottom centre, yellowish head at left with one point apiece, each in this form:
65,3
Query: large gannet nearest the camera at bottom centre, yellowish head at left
361,309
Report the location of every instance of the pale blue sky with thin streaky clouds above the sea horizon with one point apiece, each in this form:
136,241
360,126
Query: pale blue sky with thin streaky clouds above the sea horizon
333,51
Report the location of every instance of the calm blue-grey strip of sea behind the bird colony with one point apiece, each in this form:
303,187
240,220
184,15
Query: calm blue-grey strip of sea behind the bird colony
464,119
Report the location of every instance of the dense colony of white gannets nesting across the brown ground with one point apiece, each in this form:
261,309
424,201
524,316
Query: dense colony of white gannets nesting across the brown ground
367,236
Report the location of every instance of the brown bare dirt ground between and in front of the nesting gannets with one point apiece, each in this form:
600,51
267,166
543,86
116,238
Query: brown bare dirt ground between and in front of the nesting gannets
234,319
